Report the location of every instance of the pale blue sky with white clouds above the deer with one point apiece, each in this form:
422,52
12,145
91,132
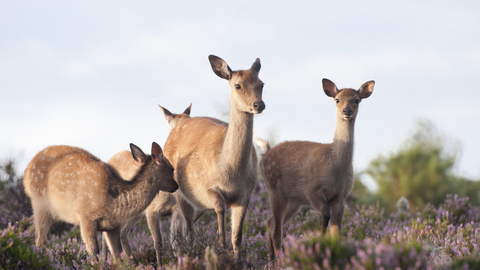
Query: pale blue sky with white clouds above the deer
92,73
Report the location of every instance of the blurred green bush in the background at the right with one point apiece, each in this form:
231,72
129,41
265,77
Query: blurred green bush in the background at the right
421,171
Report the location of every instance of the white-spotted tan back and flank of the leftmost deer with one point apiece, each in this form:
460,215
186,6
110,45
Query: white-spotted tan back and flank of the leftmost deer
69,180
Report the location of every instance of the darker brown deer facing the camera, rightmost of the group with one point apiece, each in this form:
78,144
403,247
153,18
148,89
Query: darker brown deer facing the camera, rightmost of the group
299,173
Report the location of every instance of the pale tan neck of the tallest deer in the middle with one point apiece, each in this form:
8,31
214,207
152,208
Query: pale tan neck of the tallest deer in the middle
237,146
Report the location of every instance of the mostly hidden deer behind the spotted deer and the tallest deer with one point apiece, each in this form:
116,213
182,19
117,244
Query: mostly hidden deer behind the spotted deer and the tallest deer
163,205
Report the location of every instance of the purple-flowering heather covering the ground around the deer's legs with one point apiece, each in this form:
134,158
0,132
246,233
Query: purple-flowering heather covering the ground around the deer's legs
436,237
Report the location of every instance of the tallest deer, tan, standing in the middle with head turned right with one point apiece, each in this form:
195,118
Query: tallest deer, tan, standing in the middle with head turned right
215,162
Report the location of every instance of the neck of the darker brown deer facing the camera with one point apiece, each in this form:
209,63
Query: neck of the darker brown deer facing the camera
343,142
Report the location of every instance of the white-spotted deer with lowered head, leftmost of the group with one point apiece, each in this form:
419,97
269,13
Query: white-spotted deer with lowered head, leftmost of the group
70,184
